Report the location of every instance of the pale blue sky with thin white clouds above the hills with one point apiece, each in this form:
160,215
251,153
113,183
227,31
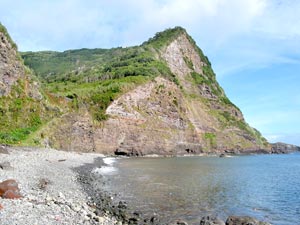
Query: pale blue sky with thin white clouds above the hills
253,45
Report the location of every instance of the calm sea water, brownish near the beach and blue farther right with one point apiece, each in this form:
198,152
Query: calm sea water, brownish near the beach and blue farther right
264,186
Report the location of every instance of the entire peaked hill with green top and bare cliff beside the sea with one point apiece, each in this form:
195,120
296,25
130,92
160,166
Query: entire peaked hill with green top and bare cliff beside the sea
158,98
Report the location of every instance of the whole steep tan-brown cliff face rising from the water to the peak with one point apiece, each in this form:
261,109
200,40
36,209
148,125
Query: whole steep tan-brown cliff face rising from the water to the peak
188,114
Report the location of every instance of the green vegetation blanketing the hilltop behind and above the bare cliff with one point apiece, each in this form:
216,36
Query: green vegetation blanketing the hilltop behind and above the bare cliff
93,78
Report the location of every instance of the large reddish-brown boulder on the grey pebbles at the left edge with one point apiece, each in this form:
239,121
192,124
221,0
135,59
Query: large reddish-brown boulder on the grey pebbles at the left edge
9,189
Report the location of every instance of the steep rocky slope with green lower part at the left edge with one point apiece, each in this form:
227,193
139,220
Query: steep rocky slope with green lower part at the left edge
23,108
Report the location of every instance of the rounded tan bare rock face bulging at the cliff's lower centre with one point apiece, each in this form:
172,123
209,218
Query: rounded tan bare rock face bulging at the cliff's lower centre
148,120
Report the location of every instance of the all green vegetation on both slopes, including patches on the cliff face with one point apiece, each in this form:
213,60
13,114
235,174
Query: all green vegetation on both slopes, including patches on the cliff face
91,79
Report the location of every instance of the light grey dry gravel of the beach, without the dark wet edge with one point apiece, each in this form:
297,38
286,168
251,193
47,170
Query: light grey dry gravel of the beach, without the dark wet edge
49,184
